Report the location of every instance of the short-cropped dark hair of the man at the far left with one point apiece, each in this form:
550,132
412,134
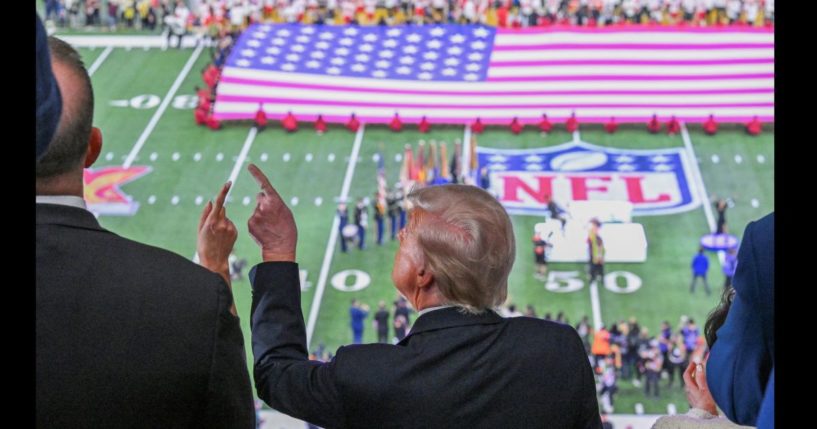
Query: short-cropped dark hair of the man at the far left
70,142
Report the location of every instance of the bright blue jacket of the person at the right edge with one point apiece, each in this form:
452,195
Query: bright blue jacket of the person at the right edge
742,359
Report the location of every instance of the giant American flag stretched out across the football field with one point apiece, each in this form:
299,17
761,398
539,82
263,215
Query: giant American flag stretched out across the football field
456,73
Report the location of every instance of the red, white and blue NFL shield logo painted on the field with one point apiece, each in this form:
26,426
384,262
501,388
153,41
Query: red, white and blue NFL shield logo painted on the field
656,182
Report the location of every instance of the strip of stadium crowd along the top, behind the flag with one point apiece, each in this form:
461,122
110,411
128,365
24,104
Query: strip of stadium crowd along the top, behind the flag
210,17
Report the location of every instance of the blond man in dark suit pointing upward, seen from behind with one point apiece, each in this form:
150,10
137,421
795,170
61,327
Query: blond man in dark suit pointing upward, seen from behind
462,365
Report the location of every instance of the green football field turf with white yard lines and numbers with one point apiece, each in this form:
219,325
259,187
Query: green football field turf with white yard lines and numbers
144,100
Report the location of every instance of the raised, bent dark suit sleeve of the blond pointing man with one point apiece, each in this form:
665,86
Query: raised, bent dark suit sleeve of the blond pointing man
285,378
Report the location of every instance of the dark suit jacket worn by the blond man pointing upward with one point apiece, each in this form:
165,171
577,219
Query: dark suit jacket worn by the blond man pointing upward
452,371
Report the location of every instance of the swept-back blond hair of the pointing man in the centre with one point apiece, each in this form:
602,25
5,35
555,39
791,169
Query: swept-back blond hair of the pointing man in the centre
468,243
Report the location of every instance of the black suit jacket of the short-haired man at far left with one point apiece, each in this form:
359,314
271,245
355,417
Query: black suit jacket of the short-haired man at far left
130,335
